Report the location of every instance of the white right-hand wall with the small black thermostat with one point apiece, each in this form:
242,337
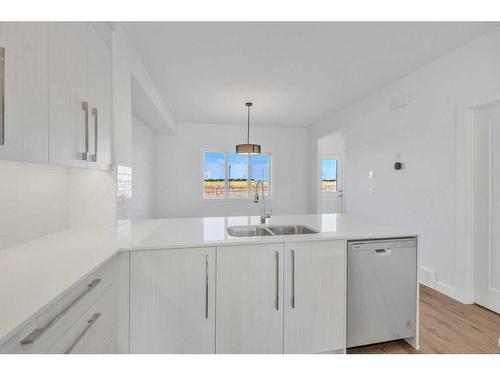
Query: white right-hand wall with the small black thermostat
423,195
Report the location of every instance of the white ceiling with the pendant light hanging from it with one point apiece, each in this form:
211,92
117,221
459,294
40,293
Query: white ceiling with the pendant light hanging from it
295,73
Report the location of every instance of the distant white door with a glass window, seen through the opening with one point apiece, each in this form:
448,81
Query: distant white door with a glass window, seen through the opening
331,174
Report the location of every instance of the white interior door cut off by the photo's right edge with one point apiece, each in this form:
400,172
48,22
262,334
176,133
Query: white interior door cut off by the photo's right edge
487,207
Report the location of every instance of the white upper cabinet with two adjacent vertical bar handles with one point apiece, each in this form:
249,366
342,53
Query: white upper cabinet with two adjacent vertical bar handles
80,96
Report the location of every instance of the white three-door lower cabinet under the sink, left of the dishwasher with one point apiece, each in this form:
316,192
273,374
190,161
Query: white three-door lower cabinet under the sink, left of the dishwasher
259,298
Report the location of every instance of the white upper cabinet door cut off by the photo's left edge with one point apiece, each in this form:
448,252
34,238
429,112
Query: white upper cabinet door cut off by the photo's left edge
26,91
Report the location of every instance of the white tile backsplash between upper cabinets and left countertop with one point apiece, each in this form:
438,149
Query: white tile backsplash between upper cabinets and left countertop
38,199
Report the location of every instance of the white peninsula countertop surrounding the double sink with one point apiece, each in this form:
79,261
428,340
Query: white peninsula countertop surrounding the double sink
211,231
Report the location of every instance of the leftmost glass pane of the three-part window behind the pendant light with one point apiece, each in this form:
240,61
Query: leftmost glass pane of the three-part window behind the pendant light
213,175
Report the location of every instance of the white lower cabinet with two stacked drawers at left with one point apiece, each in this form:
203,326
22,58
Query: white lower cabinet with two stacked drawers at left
65,325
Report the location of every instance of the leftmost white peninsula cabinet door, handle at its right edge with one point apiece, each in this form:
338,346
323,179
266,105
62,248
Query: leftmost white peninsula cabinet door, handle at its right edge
172,301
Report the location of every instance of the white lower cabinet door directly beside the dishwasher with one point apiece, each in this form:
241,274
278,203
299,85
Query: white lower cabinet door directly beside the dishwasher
315,274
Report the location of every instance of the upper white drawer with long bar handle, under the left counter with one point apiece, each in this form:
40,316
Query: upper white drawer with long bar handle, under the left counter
45,329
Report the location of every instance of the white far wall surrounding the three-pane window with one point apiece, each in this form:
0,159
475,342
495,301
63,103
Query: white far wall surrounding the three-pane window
179,157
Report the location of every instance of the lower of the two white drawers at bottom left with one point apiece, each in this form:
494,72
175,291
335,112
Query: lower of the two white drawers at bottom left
92,333
